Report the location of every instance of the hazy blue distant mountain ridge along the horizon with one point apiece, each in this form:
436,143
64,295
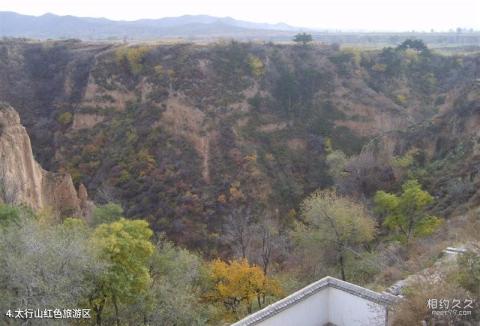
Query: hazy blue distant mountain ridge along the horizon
189,26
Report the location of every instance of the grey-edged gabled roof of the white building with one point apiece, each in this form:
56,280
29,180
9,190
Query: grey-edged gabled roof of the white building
384,299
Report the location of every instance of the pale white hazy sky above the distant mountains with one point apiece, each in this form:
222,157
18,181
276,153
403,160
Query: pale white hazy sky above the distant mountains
334,14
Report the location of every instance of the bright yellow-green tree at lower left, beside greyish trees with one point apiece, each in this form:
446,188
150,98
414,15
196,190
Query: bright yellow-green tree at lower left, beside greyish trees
125,246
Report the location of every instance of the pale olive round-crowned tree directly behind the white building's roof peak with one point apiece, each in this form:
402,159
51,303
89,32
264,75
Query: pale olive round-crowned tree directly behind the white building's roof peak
335,223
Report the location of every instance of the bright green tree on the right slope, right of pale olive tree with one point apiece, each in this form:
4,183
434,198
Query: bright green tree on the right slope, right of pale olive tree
406,213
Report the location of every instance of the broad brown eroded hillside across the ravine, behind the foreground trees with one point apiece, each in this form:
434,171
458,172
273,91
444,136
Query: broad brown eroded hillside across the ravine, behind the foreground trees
182,134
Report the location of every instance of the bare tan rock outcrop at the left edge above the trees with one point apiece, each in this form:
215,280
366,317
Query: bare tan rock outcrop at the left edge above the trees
22,179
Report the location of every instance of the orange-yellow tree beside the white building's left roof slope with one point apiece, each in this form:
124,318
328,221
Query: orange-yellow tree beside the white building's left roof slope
240,287
